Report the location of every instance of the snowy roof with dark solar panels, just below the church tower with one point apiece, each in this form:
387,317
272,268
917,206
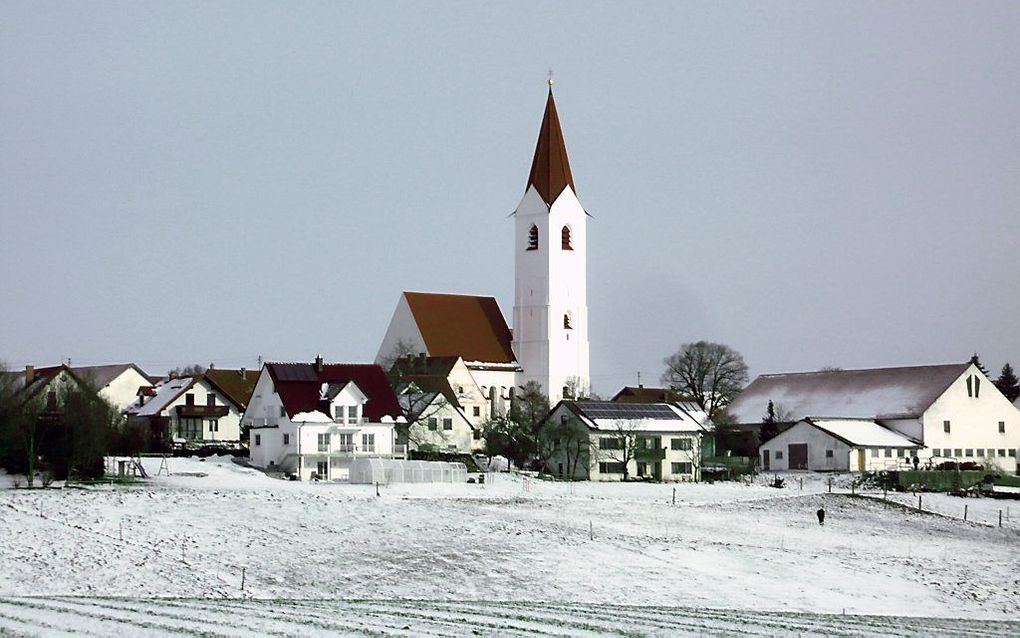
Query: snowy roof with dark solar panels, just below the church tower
610,417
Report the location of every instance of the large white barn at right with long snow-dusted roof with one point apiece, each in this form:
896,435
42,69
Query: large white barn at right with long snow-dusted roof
952,413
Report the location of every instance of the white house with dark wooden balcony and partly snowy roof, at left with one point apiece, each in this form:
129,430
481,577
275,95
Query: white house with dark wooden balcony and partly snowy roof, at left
191,411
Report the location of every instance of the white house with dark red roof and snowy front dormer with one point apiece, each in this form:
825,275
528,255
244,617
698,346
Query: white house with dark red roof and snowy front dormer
314,420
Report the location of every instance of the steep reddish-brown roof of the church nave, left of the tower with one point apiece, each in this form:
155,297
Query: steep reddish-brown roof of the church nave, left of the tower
466,326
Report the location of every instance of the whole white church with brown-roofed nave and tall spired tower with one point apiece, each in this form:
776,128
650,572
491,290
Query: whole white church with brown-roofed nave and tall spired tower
549,341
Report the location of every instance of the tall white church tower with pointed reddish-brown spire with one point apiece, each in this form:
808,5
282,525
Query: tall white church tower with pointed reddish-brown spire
550,314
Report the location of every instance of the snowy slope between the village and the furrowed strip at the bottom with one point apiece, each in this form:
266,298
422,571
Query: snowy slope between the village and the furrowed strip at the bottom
726,547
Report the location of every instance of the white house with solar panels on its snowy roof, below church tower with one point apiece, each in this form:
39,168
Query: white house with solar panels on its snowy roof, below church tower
595,440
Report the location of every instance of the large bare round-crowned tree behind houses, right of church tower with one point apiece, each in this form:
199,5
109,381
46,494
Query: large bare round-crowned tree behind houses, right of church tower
711,374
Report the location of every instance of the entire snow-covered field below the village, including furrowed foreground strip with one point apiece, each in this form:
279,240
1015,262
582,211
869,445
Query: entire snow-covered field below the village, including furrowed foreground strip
511,557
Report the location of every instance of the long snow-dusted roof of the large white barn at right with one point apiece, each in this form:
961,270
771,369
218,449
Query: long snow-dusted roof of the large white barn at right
874,394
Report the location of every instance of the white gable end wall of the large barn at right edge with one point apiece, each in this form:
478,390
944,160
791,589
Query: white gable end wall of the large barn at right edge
974,423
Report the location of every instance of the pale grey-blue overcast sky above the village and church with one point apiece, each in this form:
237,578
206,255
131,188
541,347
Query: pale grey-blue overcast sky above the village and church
824,184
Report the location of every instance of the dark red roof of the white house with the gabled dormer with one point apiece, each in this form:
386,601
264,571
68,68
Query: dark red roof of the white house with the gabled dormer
299,386
